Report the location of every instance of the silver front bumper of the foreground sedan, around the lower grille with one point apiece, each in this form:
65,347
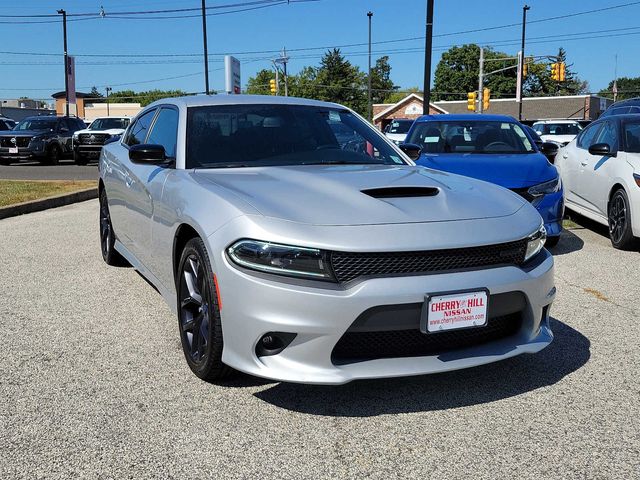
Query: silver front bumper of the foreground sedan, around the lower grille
319,315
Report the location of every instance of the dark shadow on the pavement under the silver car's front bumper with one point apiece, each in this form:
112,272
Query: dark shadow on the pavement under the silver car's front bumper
488,383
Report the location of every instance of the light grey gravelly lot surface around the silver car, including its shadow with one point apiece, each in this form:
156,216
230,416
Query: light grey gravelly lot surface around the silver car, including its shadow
93,384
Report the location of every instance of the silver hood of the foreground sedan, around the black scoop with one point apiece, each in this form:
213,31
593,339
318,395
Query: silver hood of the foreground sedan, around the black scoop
333,195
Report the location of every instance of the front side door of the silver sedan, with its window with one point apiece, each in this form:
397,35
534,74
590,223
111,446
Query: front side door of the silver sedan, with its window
146,181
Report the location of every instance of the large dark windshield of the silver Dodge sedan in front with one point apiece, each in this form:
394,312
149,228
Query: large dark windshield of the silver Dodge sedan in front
268,135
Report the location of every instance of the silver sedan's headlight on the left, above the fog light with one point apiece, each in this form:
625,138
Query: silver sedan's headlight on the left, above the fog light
281,259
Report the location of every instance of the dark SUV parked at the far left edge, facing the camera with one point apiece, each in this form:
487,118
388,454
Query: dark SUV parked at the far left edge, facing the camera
44,138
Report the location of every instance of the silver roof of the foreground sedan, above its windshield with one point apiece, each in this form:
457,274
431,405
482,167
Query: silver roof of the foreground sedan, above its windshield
207,100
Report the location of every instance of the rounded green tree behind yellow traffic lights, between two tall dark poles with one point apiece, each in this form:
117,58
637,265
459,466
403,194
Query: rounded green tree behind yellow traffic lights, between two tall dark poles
458,70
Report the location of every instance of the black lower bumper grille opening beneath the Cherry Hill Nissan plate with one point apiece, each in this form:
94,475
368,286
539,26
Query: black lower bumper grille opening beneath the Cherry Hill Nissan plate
360,346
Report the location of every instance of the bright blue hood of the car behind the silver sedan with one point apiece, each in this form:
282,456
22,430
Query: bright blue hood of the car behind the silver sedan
509,171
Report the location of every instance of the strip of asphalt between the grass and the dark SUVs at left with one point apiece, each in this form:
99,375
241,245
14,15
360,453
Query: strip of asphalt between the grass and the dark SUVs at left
66,170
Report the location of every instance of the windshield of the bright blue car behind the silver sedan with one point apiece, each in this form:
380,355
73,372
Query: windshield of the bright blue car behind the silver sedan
464,136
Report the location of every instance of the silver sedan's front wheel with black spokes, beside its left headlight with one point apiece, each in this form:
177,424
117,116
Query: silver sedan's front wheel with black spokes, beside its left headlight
199,313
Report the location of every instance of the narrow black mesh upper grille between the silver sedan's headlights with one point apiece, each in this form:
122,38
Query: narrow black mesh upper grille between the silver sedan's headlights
348,265
